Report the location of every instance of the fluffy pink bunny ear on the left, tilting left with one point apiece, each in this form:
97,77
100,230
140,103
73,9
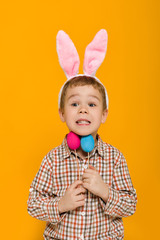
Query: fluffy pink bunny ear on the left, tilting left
68,55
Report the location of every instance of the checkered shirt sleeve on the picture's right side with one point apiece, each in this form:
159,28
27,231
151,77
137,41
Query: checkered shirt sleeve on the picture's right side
122,198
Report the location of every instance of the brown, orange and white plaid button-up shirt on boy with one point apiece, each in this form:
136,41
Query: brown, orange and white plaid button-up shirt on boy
95,220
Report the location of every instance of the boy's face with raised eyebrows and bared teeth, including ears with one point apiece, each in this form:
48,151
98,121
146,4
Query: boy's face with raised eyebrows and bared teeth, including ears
83,110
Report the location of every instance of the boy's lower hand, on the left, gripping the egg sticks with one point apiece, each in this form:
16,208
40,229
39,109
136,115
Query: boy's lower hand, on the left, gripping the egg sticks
74,197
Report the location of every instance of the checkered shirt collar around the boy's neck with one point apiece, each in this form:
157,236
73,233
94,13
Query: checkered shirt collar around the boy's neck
66,151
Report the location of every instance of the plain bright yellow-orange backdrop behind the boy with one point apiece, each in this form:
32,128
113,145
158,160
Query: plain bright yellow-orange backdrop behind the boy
30,80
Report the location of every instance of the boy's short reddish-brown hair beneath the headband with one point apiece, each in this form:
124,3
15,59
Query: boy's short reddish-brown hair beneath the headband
83,81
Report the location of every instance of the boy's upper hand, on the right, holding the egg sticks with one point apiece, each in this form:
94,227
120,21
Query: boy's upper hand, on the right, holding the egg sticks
94,183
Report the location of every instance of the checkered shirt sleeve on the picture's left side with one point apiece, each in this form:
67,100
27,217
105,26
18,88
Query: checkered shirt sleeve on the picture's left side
42,203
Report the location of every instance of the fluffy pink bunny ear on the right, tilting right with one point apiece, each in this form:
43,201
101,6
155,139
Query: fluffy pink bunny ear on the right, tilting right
95,53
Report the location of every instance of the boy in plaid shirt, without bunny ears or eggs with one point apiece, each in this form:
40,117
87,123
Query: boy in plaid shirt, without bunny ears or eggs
56,196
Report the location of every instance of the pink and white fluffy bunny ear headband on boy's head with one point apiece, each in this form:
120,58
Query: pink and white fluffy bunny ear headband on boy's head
69,59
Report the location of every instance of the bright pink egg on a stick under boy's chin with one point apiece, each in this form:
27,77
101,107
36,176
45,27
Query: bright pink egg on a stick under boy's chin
73,141
